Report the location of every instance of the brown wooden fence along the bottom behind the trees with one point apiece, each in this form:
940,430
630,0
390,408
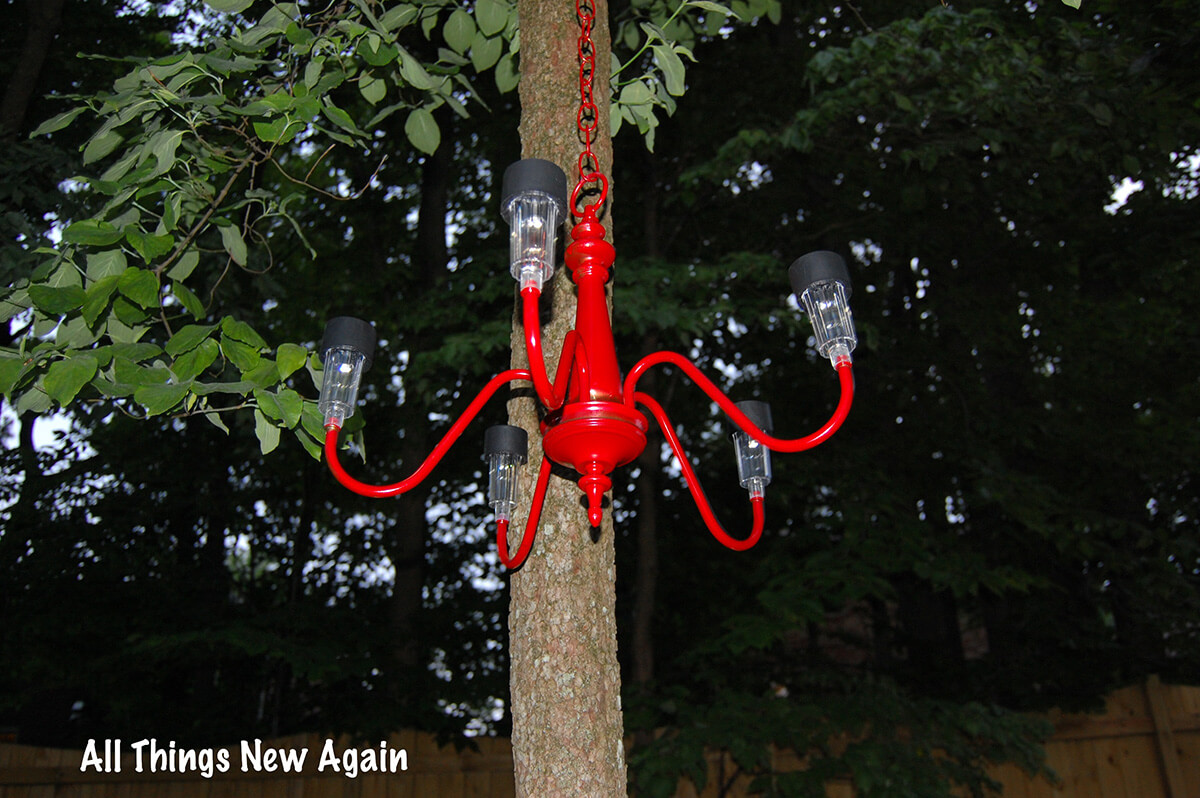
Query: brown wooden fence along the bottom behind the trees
1147,745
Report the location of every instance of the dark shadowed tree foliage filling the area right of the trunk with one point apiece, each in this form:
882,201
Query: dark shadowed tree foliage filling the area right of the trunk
991,515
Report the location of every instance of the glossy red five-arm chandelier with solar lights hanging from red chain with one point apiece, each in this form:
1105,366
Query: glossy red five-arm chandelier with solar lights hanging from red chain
592,422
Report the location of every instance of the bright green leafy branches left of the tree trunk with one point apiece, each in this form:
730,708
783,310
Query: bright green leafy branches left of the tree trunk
179,154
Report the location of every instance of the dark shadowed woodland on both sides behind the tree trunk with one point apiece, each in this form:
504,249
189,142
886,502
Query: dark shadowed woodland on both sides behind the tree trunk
1007,521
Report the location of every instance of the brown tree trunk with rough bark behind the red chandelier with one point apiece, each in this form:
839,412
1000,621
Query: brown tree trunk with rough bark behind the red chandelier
566,682
